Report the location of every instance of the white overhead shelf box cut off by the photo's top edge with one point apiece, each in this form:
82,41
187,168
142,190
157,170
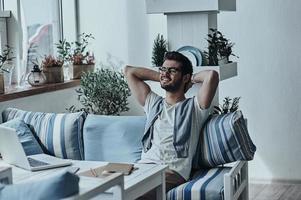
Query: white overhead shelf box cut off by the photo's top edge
175,6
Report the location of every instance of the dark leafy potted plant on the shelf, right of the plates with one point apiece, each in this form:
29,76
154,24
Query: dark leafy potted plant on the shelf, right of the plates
219,48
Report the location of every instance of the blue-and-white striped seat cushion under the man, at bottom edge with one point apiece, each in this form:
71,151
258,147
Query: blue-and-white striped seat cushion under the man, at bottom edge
206,185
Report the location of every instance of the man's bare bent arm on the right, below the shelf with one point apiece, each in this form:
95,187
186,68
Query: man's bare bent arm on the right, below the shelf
209,80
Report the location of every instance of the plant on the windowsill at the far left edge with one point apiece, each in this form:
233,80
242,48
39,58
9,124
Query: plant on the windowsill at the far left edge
5,59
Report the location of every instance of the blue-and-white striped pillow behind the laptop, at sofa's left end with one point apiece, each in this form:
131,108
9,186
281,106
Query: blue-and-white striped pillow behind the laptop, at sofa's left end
59,134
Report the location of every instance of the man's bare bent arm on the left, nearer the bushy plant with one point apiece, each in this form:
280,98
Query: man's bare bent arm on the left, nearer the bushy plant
136,77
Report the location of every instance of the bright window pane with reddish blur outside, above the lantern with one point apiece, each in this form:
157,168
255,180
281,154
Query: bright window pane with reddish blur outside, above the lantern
41,29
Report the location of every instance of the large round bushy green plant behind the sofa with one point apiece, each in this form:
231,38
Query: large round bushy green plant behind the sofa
103,92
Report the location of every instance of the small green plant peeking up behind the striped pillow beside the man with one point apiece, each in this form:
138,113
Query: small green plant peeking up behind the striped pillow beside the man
228,106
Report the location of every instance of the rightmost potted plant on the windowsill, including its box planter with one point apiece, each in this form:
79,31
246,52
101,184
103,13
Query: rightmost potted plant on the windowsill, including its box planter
77,55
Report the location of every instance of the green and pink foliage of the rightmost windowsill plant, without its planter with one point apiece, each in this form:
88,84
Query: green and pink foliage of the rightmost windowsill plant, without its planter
76,52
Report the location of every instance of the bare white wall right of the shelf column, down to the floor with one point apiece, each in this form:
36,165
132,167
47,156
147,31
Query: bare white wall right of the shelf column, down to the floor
267,40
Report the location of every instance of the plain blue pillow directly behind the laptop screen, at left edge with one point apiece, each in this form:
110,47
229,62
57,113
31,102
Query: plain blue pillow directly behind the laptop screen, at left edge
26,137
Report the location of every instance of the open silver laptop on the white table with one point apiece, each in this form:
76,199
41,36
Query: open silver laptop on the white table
13,153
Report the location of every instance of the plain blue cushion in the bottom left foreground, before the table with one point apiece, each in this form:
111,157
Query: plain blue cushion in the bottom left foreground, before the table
59,186
